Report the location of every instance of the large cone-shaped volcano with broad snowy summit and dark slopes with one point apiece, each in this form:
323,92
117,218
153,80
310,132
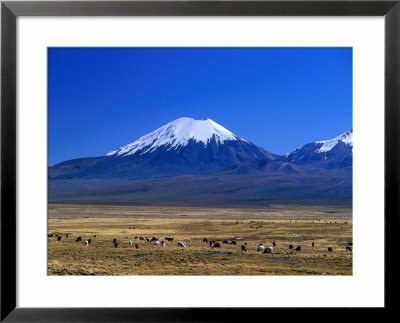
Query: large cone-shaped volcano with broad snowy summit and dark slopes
183,146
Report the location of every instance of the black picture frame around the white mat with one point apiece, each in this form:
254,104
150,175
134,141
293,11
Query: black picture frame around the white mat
10,10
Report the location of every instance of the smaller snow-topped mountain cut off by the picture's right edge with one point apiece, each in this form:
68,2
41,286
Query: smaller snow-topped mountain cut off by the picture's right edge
336,152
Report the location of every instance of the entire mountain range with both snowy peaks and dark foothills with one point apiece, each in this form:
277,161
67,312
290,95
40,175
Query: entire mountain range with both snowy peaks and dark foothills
201,160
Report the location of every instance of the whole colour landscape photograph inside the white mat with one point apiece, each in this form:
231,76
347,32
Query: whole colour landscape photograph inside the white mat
231,161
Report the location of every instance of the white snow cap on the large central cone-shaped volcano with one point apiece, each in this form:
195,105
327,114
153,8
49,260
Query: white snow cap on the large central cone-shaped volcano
177,134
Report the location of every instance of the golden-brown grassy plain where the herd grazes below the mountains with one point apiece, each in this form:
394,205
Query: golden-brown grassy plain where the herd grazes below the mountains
326,226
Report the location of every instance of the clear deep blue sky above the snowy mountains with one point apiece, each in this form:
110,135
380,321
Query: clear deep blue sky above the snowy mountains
278,98
